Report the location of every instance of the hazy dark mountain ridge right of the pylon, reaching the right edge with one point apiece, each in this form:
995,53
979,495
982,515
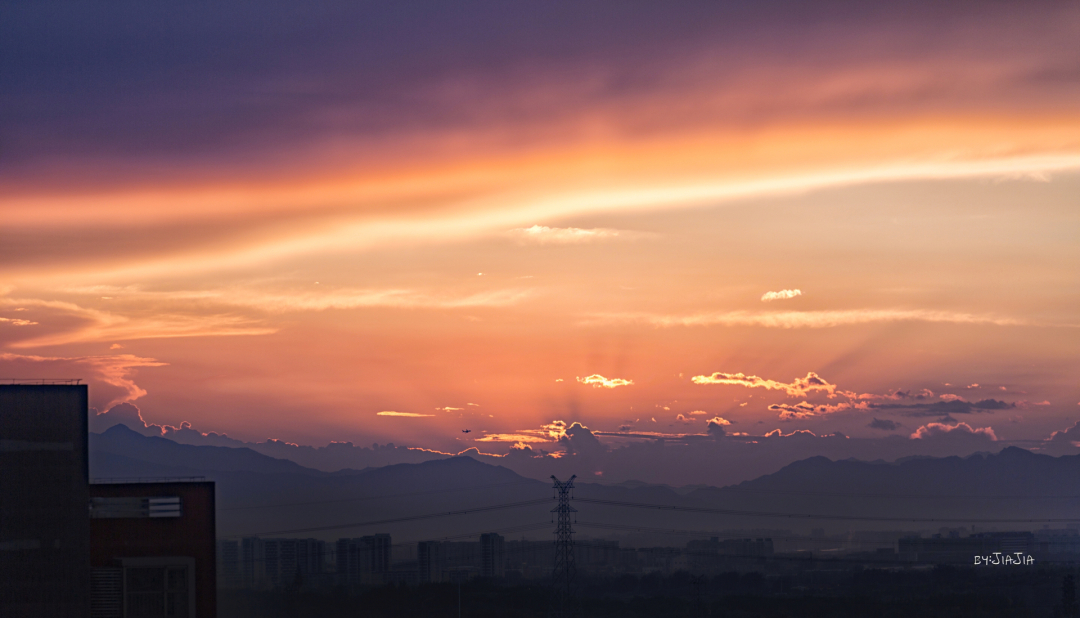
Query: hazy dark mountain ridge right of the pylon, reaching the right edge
1014,483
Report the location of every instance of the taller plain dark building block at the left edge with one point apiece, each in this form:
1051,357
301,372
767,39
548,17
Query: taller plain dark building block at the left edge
45,540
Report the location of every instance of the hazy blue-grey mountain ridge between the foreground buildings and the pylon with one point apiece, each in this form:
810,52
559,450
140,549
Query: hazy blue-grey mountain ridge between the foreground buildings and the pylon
258,494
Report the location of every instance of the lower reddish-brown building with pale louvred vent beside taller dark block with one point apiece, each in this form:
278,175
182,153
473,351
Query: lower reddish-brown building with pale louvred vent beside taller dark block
153,550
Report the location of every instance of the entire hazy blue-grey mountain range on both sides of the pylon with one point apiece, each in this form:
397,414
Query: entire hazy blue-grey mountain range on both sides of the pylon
260,494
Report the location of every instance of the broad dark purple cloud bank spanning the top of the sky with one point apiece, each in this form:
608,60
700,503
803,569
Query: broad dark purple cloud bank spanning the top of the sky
141,80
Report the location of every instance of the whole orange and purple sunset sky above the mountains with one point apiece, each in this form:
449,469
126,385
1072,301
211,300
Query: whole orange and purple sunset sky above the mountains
714,235
